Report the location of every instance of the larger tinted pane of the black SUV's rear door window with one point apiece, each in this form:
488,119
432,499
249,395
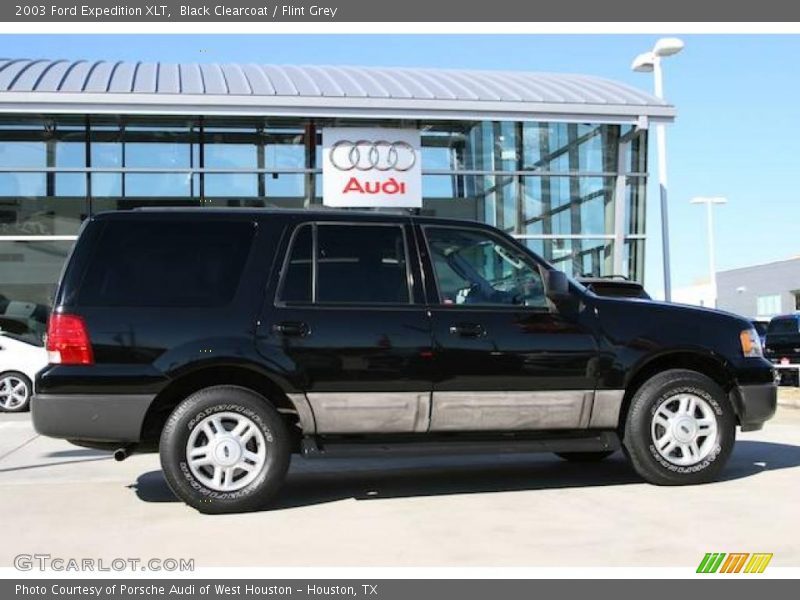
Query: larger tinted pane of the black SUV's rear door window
361,264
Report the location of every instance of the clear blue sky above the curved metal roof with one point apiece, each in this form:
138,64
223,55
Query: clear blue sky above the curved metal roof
737,133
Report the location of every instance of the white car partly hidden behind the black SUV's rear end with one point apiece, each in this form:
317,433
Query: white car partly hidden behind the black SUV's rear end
19,363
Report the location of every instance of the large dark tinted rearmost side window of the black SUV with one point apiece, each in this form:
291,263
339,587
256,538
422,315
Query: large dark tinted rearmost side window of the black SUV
171,263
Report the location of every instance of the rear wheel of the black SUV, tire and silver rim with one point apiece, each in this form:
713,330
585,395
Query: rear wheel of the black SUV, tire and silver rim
227,472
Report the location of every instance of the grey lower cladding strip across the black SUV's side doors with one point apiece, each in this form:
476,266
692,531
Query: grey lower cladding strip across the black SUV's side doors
418,412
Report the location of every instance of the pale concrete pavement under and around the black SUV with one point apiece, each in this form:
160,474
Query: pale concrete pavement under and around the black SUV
532,510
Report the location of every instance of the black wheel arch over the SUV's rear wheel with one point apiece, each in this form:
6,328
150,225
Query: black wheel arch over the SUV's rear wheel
181,387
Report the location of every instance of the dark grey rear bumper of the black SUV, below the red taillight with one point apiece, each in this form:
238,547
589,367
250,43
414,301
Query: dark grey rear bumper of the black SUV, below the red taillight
116,418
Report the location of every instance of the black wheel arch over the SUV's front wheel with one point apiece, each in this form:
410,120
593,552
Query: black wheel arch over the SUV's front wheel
705,363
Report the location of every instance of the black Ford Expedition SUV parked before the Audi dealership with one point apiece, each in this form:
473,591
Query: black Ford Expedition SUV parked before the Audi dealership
230,339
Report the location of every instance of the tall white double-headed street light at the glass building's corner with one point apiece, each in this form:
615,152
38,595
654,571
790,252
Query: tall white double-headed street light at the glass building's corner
647,62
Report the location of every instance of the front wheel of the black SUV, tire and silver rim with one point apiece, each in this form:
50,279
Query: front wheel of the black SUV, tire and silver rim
680,429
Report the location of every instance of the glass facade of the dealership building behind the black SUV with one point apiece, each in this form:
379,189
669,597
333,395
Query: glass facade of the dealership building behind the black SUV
573,192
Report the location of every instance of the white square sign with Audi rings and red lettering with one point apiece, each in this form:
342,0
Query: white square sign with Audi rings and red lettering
371,167
